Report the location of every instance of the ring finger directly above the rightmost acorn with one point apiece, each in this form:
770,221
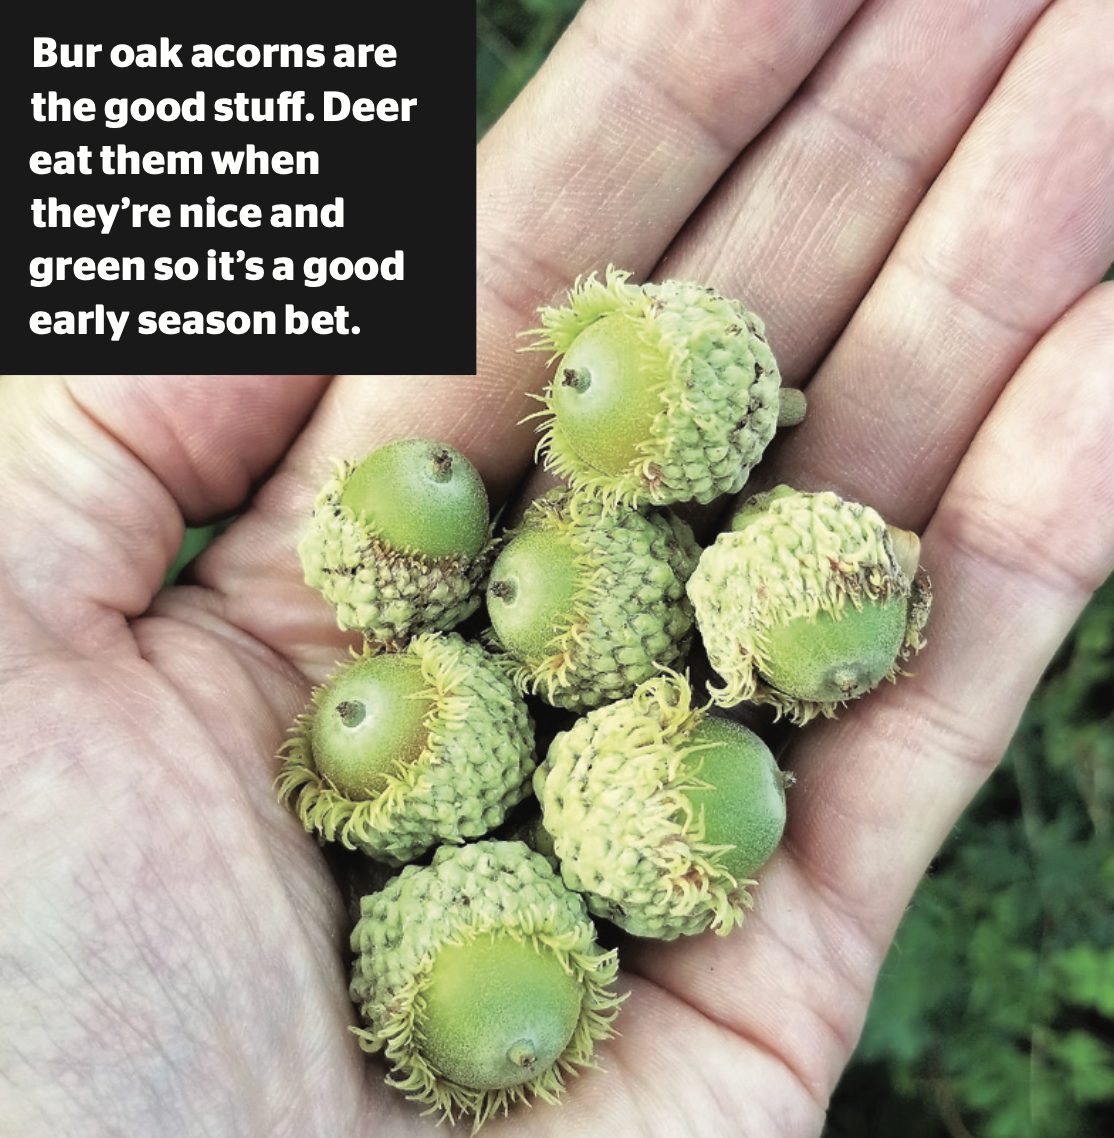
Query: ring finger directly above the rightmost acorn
1017,228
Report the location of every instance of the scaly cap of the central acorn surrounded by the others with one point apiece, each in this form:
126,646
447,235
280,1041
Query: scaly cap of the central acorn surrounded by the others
631,617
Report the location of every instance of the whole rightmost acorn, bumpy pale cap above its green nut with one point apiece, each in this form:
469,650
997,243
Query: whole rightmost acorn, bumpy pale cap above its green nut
808,601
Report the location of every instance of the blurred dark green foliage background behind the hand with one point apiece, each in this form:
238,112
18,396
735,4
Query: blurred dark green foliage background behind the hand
994,1017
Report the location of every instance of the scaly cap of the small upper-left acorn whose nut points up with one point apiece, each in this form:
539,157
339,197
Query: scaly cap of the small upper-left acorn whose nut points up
385,593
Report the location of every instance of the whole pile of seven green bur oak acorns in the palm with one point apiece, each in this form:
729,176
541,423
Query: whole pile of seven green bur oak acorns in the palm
477,972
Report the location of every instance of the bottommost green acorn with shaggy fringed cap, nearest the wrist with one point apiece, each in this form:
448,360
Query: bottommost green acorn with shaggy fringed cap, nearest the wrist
481,980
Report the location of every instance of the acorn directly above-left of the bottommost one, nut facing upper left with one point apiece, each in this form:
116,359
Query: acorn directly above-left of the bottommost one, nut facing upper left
403,751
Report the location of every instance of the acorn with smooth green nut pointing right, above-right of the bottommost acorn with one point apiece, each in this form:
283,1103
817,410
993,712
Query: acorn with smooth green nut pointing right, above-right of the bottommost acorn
661,813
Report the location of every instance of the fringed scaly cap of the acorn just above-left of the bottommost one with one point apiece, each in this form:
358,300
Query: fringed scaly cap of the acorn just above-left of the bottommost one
476,766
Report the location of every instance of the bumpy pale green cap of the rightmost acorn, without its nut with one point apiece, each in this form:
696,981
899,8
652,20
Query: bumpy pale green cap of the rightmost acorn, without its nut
791,555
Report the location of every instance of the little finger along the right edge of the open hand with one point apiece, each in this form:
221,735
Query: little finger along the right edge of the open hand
1022,538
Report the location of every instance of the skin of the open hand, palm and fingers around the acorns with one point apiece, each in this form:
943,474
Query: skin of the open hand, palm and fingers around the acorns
171,960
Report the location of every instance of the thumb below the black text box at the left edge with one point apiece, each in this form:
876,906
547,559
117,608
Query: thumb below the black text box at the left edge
96,474
